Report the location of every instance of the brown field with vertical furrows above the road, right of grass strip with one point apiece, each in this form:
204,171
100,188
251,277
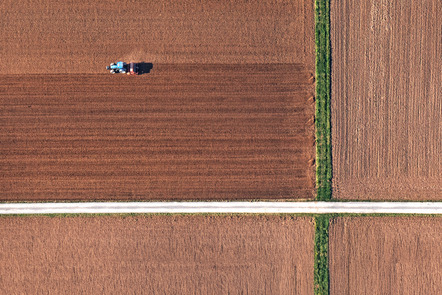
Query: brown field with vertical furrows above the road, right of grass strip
386,106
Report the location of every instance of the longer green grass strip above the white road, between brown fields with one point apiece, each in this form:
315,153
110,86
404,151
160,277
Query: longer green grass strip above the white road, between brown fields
322,118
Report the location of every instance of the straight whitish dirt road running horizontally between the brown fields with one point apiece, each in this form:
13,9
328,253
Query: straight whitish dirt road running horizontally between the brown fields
224,207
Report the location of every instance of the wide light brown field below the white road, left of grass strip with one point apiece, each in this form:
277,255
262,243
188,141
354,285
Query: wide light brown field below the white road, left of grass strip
156,254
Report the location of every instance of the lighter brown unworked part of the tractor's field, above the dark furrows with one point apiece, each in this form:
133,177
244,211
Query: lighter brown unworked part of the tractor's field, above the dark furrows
83,36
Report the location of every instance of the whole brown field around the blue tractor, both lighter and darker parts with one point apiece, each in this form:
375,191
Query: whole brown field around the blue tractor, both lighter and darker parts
226,112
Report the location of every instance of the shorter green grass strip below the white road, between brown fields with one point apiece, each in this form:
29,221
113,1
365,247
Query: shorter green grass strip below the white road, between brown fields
321,278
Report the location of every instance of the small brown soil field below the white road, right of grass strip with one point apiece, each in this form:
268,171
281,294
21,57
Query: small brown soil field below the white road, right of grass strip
386,255
